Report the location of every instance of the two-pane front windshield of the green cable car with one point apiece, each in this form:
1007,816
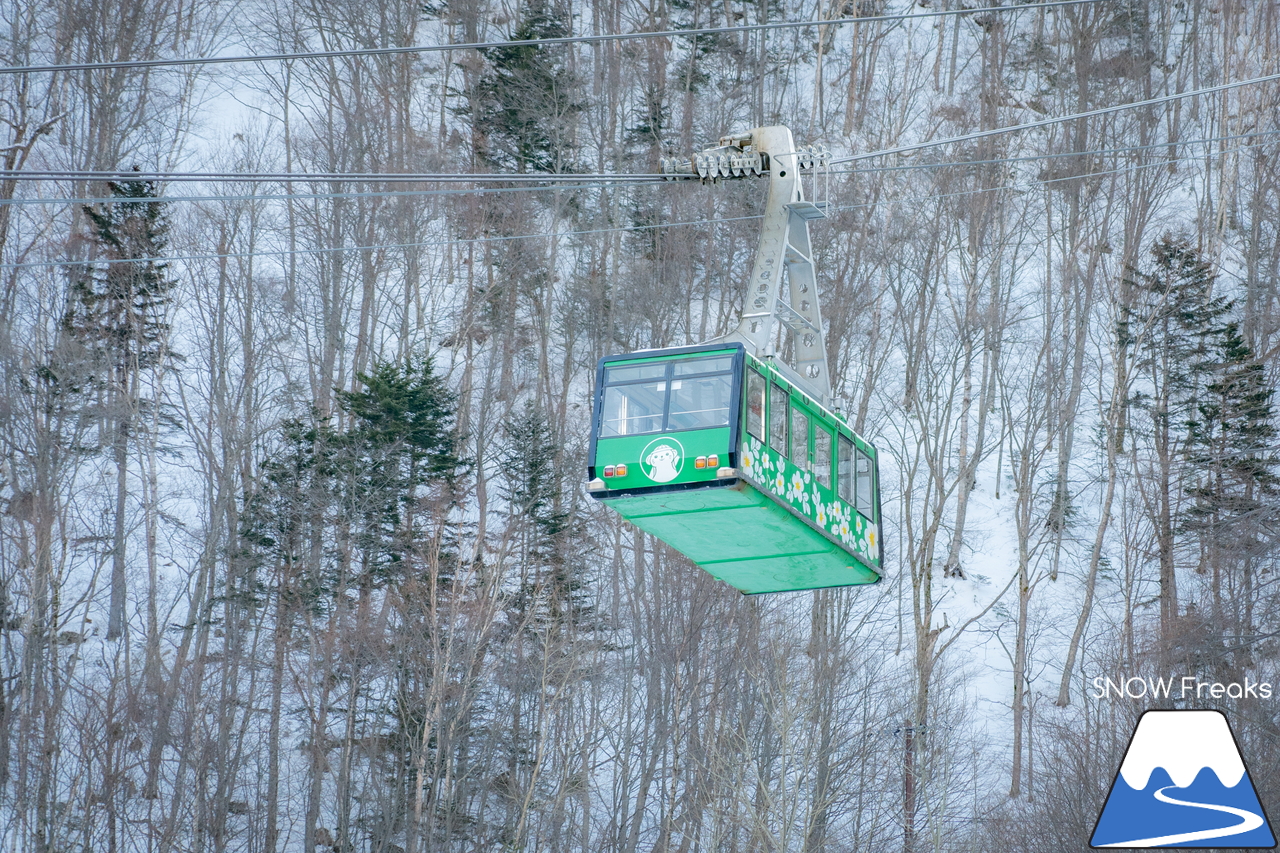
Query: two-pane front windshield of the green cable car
665,396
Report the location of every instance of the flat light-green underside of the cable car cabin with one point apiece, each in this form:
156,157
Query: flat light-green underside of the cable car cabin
744,539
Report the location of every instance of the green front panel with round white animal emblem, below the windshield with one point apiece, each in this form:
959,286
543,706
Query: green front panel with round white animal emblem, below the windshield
664,459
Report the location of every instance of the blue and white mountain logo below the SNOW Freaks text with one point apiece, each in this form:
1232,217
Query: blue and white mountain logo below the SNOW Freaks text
1183,783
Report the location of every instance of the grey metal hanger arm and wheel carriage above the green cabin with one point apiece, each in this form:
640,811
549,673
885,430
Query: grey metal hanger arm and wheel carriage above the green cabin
784,247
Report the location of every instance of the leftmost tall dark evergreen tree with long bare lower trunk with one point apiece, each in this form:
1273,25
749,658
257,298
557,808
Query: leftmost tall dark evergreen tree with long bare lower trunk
117,313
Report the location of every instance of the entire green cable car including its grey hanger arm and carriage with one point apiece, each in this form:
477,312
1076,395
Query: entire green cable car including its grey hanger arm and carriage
729,453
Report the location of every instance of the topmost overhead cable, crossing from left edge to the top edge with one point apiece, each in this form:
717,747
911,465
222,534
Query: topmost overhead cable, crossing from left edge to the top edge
525,43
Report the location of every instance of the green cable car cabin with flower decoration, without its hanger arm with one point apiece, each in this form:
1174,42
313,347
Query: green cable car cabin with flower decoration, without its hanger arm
723,458
